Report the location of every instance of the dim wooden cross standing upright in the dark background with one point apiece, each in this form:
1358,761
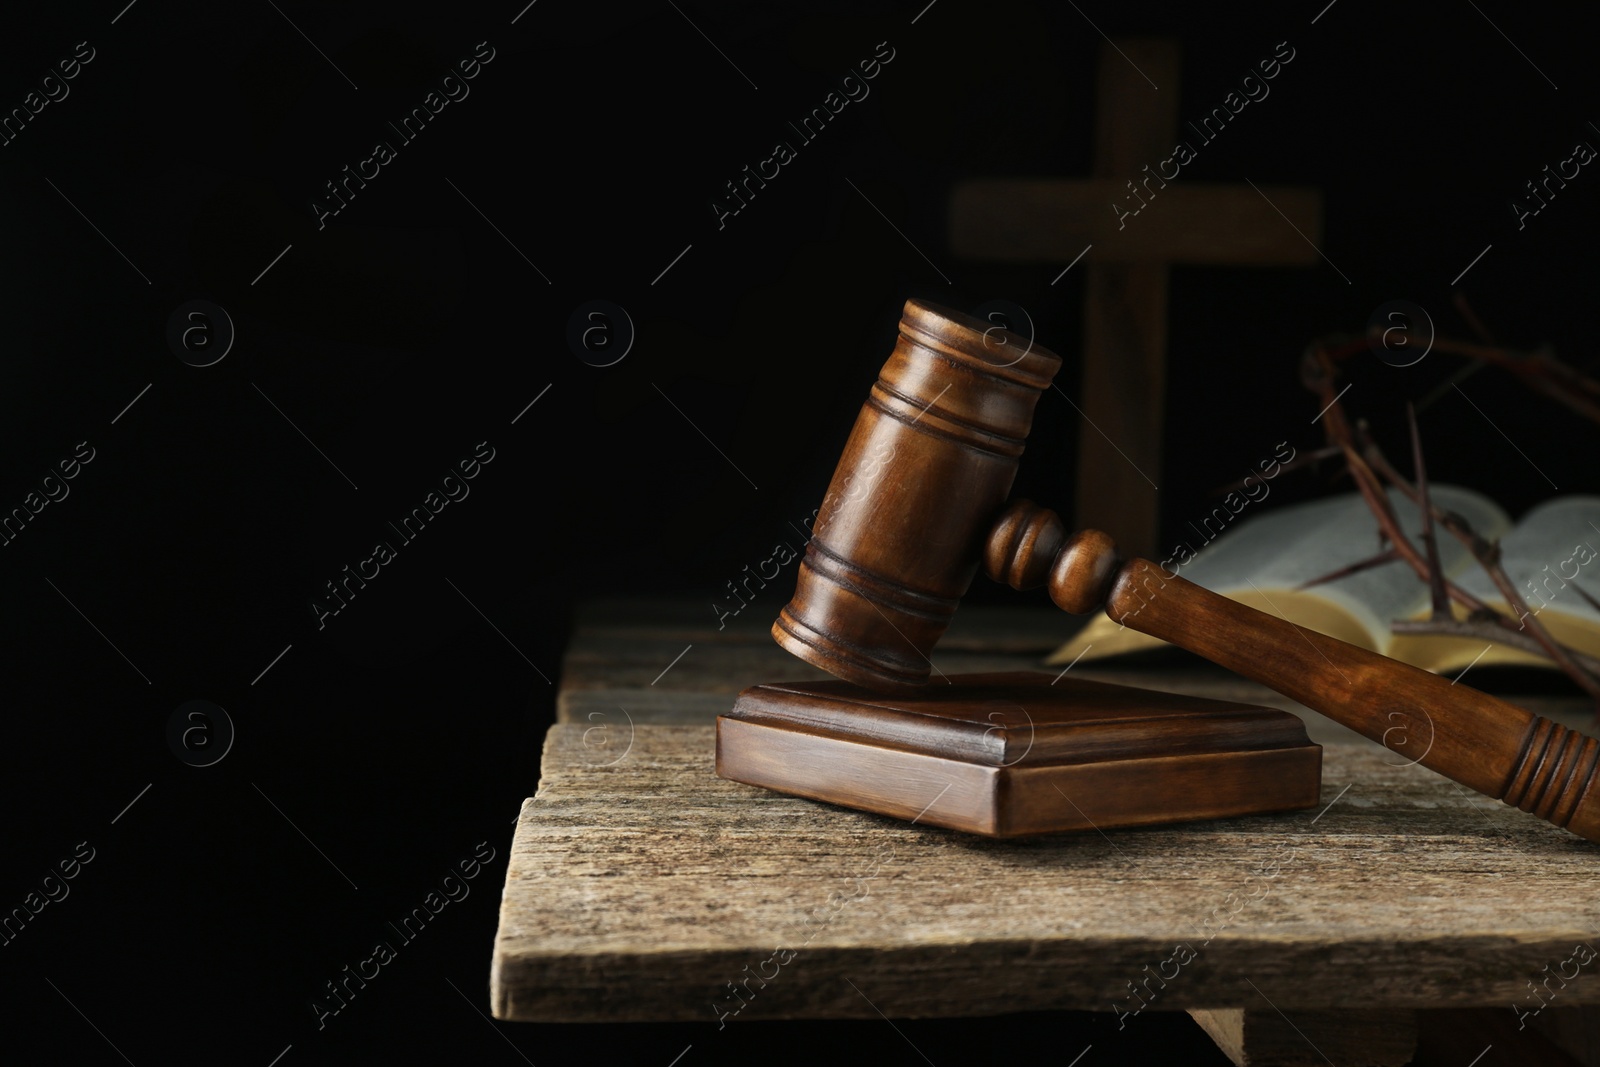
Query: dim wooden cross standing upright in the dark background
1129,260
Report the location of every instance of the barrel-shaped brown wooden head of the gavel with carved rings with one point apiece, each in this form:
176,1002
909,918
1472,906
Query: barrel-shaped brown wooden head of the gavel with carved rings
922,479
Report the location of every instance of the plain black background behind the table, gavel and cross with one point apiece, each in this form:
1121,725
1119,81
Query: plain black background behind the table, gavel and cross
410,329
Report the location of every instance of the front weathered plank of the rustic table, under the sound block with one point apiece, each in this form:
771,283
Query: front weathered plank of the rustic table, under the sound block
642,887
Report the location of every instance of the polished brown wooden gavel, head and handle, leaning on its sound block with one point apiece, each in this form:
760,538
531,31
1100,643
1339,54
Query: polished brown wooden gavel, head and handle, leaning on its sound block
919,500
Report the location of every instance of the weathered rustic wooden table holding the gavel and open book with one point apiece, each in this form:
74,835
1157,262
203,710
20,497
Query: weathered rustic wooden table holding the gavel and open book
644,887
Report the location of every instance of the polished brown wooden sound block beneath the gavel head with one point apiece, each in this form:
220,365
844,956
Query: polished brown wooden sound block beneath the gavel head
1017,754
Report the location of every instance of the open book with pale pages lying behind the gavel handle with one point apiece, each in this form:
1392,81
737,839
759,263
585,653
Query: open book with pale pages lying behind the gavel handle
1265,561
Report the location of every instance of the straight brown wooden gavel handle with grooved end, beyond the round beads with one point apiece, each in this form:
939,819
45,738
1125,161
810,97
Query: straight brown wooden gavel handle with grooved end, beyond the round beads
1495,748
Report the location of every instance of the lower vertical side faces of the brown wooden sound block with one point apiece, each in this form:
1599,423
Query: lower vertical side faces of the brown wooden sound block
1007,802
